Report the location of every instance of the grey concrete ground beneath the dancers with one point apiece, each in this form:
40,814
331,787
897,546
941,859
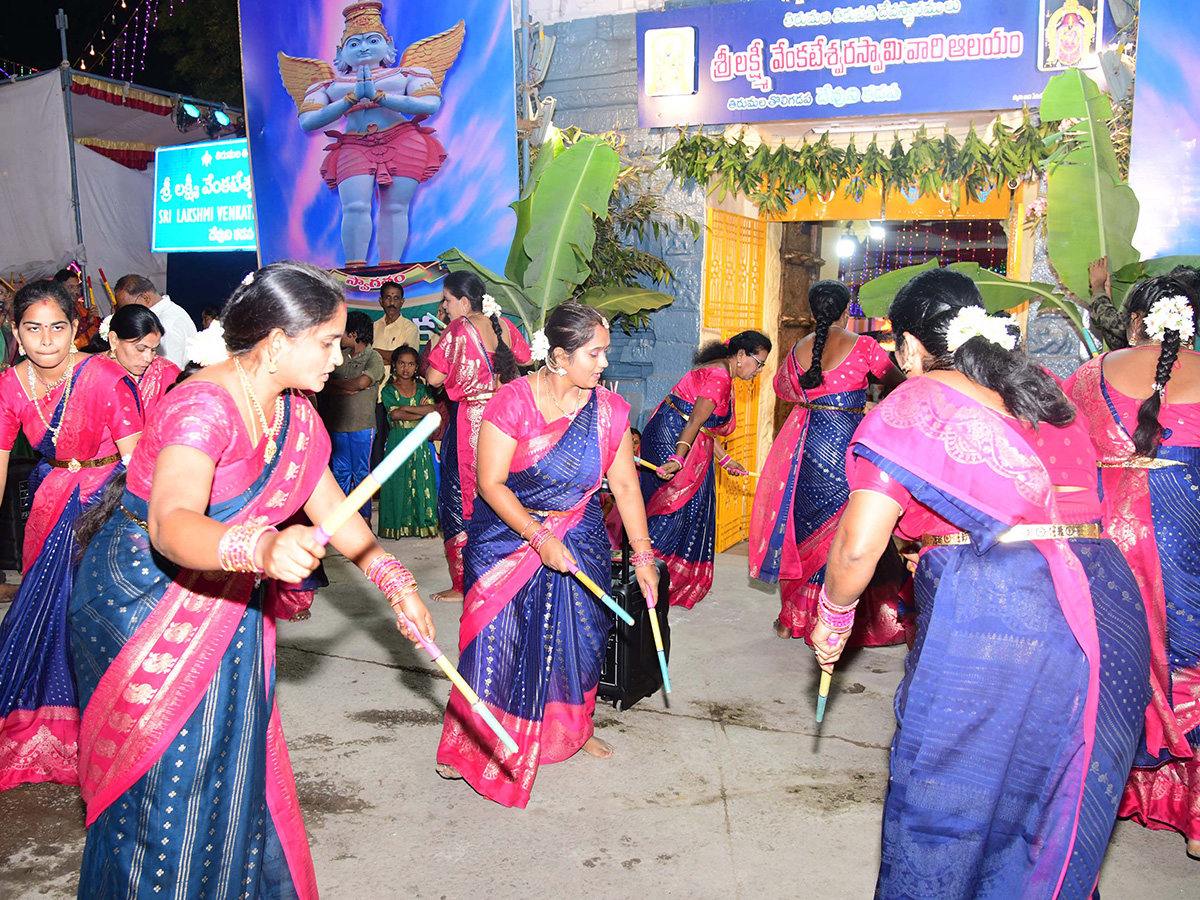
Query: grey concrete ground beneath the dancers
729,793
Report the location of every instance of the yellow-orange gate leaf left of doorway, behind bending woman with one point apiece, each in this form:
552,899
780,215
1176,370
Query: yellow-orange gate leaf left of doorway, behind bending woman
735,271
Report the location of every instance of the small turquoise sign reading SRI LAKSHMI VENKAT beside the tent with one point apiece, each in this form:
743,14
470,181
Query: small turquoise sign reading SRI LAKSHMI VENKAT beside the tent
203,197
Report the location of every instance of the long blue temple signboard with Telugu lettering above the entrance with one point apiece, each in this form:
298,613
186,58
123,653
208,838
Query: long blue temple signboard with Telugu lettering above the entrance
770,61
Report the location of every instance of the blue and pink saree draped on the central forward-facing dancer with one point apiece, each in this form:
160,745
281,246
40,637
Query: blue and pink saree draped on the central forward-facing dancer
532,640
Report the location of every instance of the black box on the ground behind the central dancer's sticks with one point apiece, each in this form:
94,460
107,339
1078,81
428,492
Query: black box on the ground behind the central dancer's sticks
632,663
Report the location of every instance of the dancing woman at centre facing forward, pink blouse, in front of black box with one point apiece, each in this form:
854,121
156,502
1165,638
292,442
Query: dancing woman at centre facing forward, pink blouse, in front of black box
532,640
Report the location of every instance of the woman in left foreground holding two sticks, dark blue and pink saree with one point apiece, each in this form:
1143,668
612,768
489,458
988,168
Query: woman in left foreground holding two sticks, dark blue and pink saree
183,760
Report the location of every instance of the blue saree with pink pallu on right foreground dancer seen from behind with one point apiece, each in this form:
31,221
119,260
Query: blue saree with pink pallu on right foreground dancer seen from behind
980,473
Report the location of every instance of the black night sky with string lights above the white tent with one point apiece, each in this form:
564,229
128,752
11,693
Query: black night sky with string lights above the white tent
28,35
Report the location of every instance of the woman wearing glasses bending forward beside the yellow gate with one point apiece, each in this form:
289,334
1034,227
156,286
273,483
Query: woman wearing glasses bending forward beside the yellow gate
681,440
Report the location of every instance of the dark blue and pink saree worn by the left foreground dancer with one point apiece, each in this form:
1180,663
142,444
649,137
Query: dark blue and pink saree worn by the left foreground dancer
187,634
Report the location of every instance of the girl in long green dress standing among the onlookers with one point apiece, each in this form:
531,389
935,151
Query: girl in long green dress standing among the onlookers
409,506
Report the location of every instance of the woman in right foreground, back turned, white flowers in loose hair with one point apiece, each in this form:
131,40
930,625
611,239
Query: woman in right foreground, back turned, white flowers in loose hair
1025,692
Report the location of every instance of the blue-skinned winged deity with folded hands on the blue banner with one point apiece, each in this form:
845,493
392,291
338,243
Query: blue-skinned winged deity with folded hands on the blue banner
386,151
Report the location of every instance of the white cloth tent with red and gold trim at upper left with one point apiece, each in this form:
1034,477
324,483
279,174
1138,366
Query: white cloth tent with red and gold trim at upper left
38,227
